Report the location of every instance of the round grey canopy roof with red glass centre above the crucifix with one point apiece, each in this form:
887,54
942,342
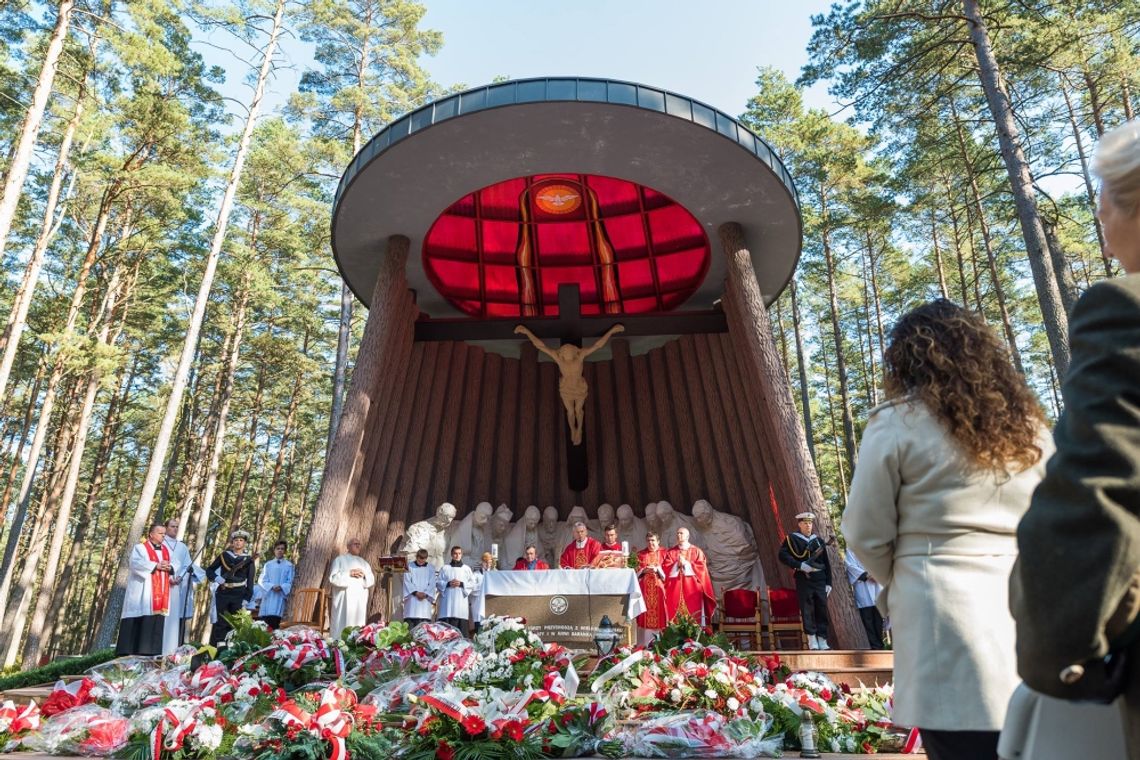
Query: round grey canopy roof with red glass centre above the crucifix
510,190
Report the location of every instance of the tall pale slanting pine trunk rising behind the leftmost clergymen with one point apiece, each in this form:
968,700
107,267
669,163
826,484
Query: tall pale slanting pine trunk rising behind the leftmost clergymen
178,383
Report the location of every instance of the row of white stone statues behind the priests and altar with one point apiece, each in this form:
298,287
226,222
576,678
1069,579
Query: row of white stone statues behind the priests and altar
728,541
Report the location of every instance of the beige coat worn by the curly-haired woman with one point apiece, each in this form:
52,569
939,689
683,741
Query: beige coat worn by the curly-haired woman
941,538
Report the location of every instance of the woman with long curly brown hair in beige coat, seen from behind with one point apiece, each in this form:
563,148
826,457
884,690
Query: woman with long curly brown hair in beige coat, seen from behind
946,472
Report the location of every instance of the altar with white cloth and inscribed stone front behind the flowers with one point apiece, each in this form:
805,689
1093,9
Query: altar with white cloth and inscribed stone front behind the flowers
566,606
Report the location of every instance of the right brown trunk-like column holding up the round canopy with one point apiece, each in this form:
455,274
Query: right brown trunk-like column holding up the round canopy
793,475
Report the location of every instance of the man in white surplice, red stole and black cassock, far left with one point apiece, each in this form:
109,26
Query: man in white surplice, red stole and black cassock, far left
148,600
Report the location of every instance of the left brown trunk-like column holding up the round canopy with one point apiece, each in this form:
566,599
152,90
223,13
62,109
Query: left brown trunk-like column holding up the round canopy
385,317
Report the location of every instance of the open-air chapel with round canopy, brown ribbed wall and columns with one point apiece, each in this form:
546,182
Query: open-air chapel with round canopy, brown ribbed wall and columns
568,206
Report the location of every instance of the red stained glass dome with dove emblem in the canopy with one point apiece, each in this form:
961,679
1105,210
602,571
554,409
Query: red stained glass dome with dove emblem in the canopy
504,251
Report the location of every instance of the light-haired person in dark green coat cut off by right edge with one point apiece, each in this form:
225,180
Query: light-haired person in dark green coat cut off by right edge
1076,591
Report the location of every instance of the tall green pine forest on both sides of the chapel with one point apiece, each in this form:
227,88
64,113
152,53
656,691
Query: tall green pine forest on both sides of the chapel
177,336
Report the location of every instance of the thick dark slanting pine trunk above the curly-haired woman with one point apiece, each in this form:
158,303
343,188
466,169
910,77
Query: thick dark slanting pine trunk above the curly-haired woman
1053,313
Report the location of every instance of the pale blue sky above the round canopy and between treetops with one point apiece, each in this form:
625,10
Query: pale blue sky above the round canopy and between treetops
709,52
